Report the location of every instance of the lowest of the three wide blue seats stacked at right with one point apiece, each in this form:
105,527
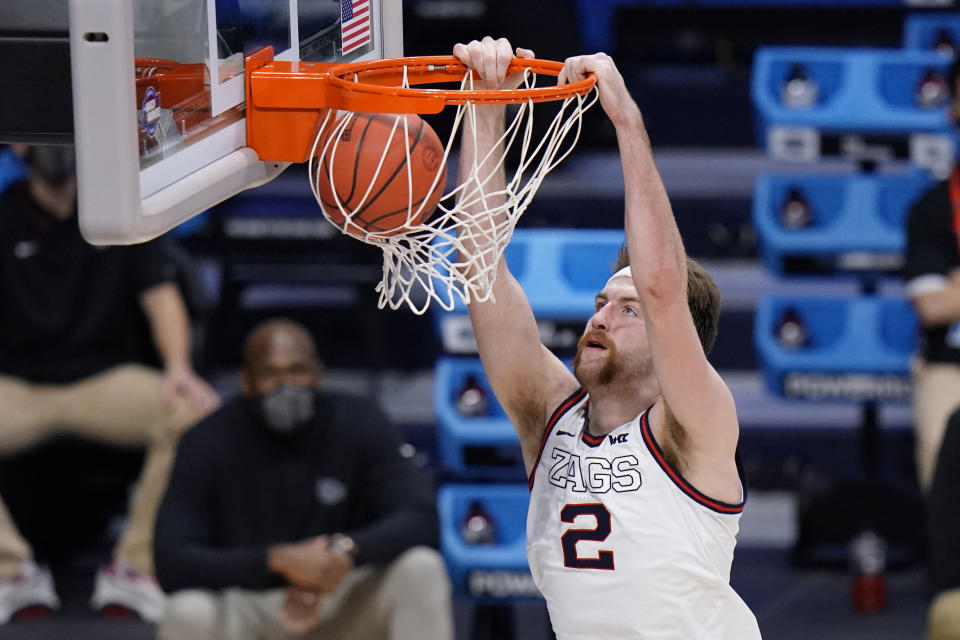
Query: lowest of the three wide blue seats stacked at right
859,348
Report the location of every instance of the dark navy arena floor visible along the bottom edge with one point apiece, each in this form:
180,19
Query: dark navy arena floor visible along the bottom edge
789,604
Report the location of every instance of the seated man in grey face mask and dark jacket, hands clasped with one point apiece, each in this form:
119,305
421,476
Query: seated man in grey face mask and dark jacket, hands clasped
291,512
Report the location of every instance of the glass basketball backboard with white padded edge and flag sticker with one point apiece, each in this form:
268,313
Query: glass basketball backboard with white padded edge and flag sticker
158,97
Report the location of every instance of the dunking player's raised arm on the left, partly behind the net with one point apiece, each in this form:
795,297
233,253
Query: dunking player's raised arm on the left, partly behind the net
528,380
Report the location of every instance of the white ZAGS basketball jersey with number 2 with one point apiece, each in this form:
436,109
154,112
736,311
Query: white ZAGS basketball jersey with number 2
621,546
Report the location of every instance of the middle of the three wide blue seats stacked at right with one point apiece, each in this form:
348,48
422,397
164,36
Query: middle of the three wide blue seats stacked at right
858,221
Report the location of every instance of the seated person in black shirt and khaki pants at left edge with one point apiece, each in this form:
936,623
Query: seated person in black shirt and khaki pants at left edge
72,330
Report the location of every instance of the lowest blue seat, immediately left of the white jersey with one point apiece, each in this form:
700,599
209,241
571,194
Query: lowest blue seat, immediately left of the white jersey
487,573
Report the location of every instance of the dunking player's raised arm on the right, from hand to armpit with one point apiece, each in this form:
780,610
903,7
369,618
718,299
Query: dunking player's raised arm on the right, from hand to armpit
695,396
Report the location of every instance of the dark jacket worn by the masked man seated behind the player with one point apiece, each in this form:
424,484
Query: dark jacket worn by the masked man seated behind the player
236,489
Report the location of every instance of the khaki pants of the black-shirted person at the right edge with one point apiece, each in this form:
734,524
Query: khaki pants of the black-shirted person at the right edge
936,393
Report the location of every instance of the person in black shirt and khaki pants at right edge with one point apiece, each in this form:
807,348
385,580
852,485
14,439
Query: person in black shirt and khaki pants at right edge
932,271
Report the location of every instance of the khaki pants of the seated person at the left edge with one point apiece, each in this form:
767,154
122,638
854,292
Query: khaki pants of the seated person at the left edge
121,406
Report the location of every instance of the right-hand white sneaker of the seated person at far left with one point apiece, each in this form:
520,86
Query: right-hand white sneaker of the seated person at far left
121,591
